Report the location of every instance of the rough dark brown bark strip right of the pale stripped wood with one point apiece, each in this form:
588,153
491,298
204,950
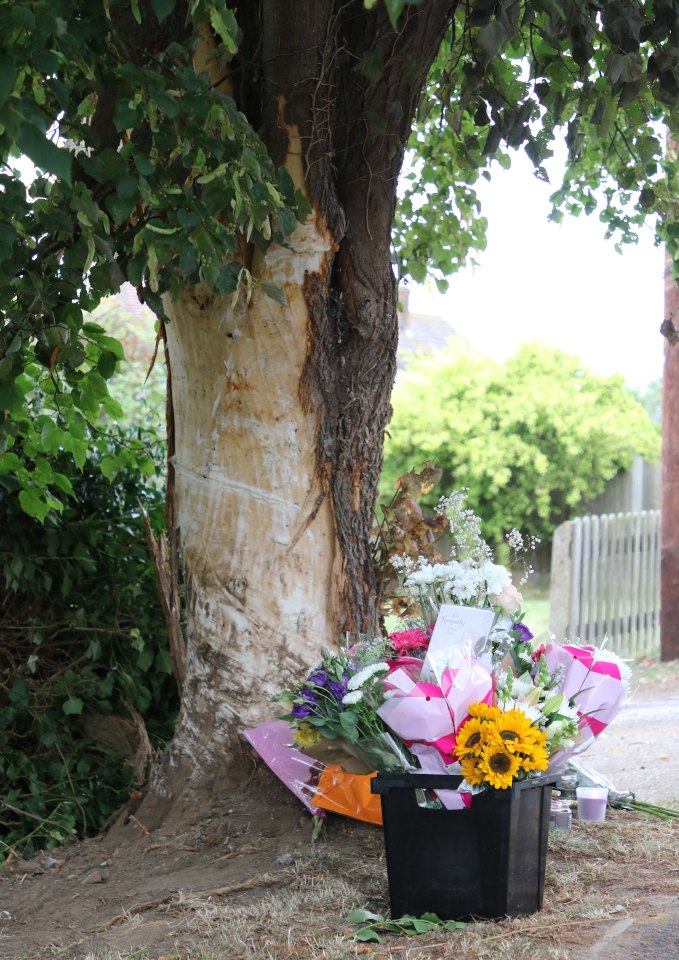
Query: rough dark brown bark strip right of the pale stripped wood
349,84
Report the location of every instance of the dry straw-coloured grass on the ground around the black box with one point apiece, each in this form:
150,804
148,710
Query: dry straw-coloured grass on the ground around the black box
596,873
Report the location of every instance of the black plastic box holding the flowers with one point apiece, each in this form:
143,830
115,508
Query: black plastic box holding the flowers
484,861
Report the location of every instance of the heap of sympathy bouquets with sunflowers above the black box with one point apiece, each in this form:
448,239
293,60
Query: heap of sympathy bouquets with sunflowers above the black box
461,686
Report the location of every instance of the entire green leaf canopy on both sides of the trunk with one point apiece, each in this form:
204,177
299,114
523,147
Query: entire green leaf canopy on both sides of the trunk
149,172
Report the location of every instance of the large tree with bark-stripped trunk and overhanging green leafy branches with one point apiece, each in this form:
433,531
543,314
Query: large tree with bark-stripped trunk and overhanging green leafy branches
238,164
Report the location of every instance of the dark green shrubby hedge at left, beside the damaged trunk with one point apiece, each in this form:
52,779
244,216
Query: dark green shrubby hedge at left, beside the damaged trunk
82,645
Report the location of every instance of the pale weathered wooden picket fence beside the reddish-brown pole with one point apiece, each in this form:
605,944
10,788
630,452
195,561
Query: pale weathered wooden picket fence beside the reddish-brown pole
605,581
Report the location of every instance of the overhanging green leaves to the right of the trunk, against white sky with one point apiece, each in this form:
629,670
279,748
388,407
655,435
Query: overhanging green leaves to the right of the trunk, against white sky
509,75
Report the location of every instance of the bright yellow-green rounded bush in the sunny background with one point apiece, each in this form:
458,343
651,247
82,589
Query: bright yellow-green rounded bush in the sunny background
531,439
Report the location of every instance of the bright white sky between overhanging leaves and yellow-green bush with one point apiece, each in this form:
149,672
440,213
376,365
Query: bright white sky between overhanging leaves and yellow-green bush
560,284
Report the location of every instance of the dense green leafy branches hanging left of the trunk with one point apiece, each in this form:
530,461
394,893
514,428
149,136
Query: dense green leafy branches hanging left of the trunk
139,157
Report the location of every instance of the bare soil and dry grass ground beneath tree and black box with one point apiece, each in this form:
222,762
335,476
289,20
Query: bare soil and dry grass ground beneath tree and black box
244,880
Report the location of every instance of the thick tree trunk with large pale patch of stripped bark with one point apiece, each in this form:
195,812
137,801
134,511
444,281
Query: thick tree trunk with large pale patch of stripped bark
280,412
